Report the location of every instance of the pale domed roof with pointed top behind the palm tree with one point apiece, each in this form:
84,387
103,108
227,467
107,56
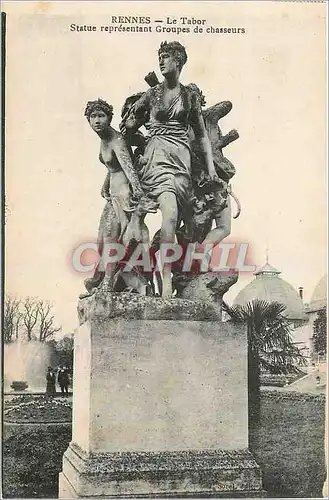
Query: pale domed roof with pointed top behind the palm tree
270,287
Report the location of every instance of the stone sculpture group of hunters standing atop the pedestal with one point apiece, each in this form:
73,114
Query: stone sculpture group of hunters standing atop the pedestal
179,168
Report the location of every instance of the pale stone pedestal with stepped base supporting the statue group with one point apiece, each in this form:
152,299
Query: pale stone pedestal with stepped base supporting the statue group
160,402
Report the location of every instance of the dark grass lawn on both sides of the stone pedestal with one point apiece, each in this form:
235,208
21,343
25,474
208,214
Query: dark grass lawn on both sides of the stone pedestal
288,444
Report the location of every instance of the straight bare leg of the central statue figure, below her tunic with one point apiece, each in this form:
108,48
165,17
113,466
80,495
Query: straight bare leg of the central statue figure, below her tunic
169,210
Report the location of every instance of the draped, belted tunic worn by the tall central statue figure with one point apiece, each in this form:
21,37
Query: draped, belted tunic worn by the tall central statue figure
167,153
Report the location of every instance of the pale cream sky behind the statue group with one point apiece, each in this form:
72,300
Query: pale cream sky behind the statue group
274,74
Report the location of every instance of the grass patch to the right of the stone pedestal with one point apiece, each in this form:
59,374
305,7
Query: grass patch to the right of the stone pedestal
288,443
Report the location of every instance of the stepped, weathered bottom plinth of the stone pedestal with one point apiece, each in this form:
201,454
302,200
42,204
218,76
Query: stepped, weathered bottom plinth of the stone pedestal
165,474
